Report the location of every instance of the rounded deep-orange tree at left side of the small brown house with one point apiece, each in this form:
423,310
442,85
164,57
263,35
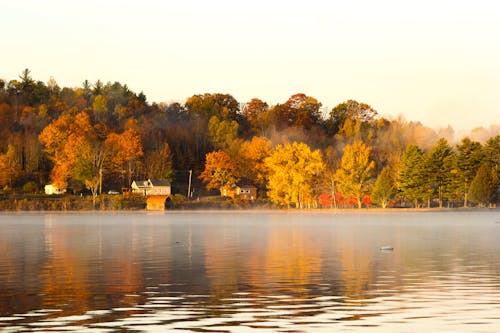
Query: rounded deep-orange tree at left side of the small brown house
219,172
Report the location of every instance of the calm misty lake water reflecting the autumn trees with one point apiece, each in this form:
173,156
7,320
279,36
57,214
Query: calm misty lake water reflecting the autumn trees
240,271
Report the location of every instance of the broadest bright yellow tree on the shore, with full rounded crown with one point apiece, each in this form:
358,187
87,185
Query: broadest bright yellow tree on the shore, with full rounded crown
293,169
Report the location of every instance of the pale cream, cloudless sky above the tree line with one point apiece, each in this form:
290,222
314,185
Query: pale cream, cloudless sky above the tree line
434,61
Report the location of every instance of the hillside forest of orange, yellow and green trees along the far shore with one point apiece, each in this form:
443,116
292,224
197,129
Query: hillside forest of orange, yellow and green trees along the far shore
102,136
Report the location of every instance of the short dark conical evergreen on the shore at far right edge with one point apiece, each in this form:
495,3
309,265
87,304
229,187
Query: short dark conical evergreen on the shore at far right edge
484,185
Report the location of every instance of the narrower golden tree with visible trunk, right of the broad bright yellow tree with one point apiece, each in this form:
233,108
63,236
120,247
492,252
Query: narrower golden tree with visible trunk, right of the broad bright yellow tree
356,171
